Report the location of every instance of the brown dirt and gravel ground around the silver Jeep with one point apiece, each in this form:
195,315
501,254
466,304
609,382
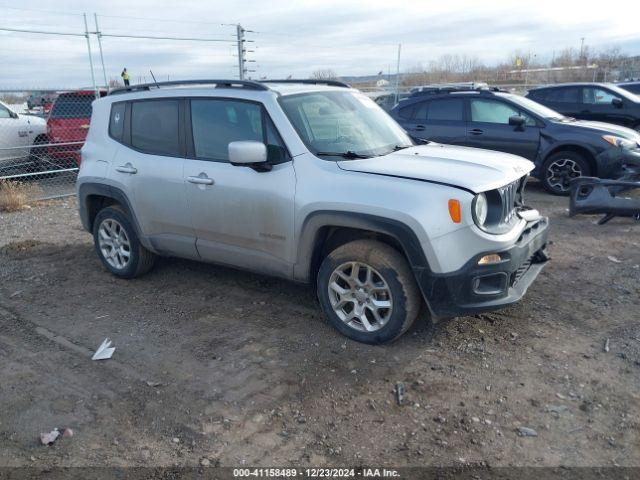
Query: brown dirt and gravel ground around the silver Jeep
240,369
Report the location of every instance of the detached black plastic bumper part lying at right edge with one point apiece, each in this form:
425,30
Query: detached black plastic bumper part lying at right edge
592,195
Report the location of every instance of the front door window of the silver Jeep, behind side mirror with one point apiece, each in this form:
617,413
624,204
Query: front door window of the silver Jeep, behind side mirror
216,123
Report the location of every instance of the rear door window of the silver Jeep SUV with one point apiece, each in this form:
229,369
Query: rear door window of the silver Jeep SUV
154,127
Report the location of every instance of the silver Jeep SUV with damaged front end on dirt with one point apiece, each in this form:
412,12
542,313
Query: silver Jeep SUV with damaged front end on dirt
312,182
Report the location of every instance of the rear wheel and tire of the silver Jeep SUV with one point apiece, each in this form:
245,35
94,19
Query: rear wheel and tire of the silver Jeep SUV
112,225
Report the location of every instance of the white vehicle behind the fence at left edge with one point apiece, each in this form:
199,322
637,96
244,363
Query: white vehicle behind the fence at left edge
18,133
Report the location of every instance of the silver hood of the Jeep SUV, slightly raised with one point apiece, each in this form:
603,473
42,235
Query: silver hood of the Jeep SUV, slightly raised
473,169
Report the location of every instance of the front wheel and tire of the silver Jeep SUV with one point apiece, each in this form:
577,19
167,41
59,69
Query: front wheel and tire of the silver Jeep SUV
391,281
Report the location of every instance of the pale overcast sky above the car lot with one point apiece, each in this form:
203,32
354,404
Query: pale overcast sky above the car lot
292,38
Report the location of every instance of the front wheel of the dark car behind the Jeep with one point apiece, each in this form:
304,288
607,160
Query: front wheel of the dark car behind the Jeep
559,168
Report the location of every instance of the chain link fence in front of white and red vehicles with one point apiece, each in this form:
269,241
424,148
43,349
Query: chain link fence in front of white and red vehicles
41,134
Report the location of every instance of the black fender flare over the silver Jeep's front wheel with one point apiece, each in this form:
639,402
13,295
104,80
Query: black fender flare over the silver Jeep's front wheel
314,222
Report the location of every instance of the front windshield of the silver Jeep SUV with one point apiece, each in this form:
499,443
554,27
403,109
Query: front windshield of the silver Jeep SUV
343,123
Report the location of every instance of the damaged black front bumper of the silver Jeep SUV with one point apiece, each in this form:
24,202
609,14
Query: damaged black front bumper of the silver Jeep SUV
478,288
